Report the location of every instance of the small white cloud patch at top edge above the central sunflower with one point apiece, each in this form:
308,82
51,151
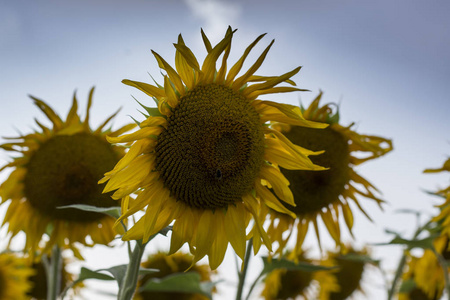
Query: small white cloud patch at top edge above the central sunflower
215,15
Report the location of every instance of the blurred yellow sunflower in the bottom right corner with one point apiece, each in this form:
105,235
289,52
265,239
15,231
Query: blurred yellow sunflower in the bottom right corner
424,278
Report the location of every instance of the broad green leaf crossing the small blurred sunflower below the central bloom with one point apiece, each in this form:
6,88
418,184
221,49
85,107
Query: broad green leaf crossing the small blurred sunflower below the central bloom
180,282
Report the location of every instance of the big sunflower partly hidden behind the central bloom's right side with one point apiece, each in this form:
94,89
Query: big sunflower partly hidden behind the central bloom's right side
327,194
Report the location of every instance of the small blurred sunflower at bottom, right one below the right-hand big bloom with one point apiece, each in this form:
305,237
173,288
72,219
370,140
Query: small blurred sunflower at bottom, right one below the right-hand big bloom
351,265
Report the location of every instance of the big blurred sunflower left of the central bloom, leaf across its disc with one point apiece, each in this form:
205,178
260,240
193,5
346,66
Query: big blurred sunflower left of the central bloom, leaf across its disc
60,166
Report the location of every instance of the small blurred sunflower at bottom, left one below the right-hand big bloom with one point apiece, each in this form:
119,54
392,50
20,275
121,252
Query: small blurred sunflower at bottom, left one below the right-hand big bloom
282,284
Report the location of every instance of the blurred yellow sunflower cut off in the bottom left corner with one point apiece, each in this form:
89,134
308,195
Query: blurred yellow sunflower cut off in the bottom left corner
14,275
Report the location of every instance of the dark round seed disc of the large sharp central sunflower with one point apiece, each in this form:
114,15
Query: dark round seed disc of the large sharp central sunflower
212,149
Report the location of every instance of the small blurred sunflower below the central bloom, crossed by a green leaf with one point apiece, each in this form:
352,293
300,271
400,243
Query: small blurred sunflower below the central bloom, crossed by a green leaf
169,265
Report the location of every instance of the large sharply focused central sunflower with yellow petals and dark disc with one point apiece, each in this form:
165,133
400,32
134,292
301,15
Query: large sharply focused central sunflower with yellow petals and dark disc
202,156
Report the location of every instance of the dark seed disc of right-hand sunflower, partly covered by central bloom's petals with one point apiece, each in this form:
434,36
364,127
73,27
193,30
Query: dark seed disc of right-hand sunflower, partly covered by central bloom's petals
315,190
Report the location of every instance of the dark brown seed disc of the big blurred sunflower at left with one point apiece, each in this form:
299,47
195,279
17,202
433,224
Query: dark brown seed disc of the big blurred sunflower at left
65,171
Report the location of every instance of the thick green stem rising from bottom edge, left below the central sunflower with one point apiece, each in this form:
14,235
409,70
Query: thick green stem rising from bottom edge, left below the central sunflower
129,283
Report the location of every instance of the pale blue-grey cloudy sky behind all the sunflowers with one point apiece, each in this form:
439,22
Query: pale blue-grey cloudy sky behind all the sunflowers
387,64
